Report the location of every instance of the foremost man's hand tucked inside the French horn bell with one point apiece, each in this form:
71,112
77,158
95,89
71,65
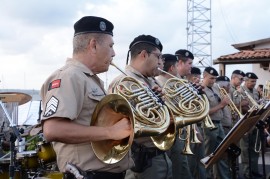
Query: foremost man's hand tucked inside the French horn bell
121,129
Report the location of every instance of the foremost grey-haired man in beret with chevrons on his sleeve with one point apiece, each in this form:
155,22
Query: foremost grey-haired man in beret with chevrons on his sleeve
69,98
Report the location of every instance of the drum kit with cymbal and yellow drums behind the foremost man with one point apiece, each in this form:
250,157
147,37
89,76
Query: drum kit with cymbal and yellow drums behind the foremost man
37,163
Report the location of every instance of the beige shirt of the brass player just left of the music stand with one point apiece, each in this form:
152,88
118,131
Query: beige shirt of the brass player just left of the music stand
213,97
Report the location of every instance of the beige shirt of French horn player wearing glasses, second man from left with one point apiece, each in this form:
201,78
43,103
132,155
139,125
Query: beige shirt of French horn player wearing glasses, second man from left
130,71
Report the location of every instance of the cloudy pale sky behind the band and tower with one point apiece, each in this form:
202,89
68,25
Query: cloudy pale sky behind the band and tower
36,36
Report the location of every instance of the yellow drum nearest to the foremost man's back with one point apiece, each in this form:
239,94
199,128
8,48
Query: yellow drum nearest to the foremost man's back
46,154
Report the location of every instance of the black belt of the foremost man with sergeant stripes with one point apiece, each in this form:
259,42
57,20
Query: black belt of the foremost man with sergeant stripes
97,175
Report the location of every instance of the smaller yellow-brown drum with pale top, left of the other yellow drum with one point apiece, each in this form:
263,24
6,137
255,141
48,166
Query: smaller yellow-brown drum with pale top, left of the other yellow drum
29,159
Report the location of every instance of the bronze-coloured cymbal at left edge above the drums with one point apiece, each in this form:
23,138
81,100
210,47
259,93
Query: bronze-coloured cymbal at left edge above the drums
21,98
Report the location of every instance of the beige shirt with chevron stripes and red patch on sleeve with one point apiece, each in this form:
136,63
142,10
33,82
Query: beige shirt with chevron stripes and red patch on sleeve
73,92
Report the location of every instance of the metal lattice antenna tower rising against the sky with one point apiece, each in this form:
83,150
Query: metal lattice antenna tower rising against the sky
199,36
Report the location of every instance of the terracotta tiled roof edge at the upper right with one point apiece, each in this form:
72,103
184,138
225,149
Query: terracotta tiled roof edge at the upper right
246,56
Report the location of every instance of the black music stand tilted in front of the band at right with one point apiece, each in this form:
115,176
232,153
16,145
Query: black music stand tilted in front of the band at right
229,143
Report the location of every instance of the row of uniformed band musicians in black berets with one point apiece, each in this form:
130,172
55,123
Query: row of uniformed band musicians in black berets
70,96
